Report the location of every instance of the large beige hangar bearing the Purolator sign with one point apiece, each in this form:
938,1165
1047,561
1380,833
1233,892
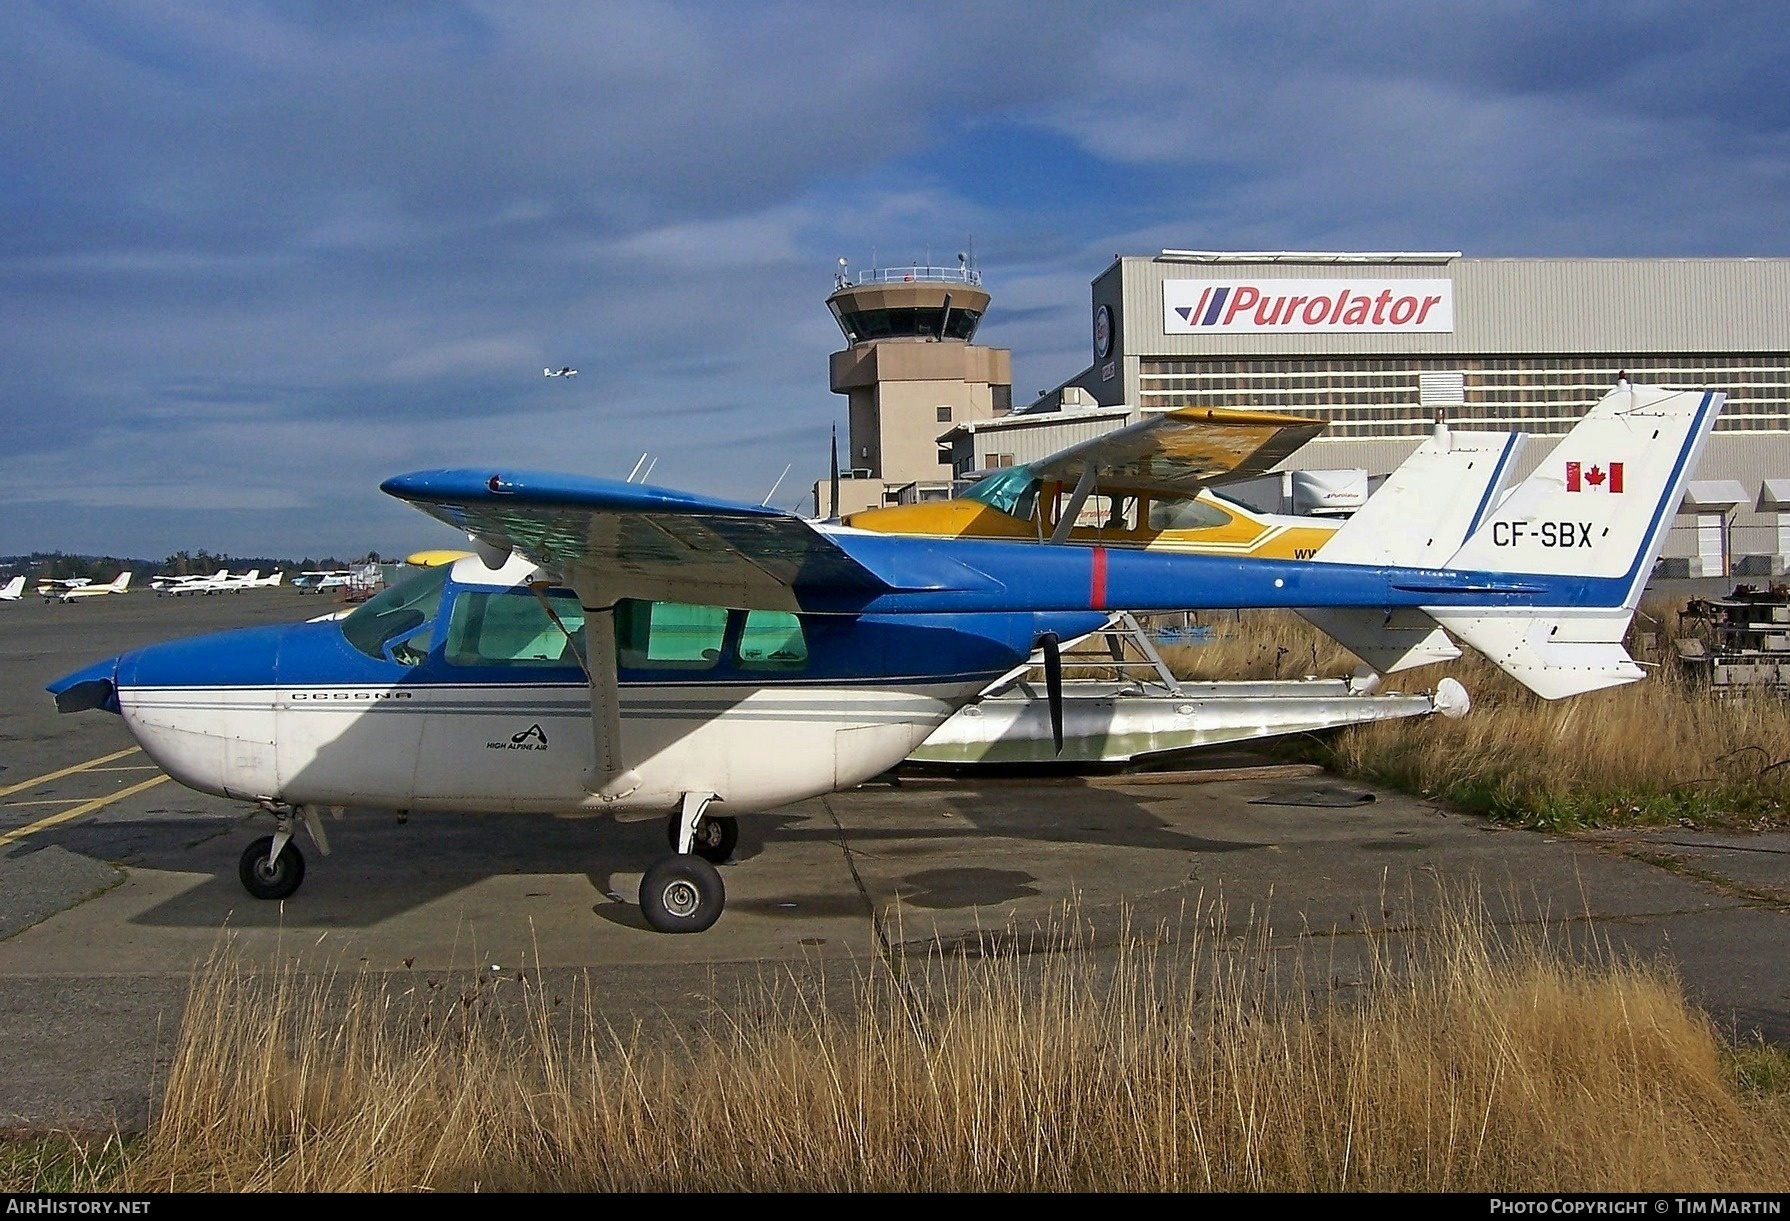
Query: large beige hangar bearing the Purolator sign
1379,343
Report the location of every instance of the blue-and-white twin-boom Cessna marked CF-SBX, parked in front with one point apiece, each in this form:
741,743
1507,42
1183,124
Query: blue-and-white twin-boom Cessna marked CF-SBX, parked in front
649,653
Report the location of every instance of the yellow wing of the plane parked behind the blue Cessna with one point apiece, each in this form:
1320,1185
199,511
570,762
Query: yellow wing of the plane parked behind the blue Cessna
1184,450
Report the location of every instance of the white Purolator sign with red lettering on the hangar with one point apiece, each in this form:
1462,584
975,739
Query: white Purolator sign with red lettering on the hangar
1288,307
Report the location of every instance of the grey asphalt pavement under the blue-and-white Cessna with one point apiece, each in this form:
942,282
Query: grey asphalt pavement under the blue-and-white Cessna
115,882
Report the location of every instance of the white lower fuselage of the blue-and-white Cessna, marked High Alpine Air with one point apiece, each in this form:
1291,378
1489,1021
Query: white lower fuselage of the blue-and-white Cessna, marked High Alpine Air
531,747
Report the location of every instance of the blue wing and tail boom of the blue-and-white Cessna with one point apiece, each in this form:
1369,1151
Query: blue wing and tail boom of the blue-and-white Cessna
617,542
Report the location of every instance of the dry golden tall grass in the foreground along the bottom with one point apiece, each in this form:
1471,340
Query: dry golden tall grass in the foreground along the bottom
1179,1063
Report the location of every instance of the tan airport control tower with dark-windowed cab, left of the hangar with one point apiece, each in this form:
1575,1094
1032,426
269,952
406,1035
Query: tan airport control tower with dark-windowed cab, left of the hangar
910,375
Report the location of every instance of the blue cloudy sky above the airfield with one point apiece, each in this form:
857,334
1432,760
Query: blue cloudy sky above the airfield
259,257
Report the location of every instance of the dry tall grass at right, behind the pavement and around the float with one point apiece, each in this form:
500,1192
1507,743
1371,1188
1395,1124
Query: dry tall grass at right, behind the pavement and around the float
1653,751
